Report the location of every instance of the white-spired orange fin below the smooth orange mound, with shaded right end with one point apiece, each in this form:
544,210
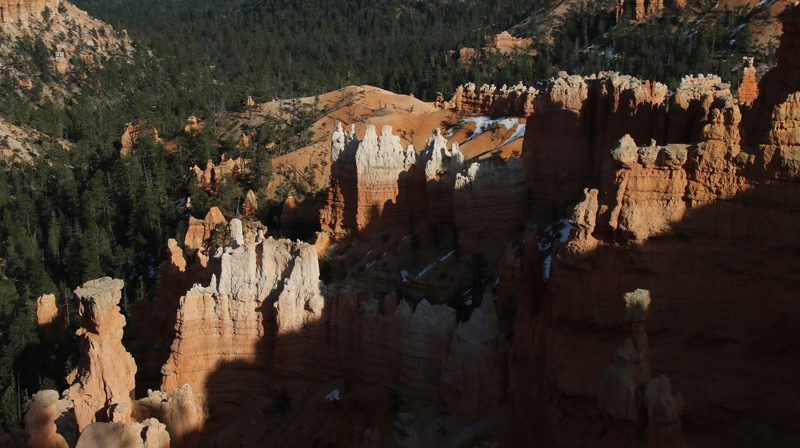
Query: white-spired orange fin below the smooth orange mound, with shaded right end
375,184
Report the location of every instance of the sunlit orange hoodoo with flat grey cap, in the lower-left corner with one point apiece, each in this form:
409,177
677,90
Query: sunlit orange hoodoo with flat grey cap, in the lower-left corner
105,373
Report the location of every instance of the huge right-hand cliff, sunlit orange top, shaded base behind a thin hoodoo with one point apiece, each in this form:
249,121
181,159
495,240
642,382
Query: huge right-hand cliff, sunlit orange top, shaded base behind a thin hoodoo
709,229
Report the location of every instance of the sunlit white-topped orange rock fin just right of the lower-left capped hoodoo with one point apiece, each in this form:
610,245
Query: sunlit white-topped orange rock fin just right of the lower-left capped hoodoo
262,288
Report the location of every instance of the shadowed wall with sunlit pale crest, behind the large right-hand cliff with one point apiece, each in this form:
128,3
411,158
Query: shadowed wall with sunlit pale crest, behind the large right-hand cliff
579,119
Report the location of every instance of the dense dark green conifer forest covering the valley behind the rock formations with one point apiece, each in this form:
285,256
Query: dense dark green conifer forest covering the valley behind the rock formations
78,211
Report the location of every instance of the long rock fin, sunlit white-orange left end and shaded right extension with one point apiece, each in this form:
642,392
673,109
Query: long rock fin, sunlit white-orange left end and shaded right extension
265,312
